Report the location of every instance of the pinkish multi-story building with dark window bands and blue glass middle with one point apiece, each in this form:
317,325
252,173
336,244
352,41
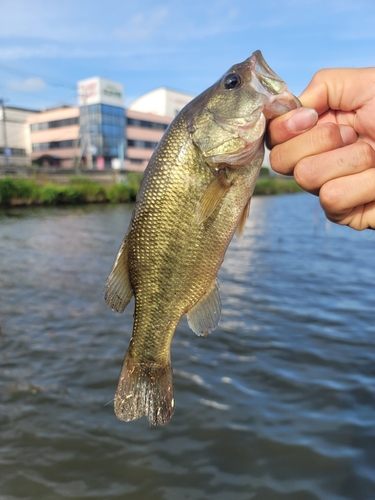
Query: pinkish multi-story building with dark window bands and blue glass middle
58,140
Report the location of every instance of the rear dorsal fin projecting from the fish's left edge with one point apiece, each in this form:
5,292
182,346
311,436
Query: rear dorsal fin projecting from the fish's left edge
118,291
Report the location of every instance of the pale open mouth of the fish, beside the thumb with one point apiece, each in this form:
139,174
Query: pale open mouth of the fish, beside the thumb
264,80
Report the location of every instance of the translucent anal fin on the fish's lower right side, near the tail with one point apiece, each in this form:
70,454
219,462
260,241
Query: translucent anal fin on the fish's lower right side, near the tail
204,317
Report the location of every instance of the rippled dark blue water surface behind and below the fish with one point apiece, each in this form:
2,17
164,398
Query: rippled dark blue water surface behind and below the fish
277,403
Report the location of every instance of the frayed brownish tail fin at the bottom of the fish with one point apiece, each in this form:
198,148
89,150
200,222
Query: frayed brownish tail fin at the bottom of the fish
145,389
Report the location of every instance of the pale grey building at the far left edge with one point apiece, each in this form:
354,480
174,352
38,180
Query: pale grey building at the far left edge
15,146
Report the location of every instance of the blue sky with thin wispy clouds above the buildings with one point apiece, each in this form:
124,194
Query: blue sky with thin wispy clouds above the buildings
47,46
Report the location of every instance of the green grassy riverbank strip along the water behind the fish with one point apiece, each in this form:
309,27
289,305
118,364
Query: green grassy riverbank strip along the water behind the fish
80,190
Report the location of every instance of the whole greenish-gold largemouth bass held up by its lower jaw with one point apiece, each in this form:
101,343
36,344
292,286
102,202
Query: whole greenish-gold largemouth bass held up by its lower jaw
194,195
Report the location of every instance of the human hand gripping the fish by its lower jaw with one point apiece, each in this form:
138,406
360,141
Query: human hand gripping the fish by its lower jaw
331,151
